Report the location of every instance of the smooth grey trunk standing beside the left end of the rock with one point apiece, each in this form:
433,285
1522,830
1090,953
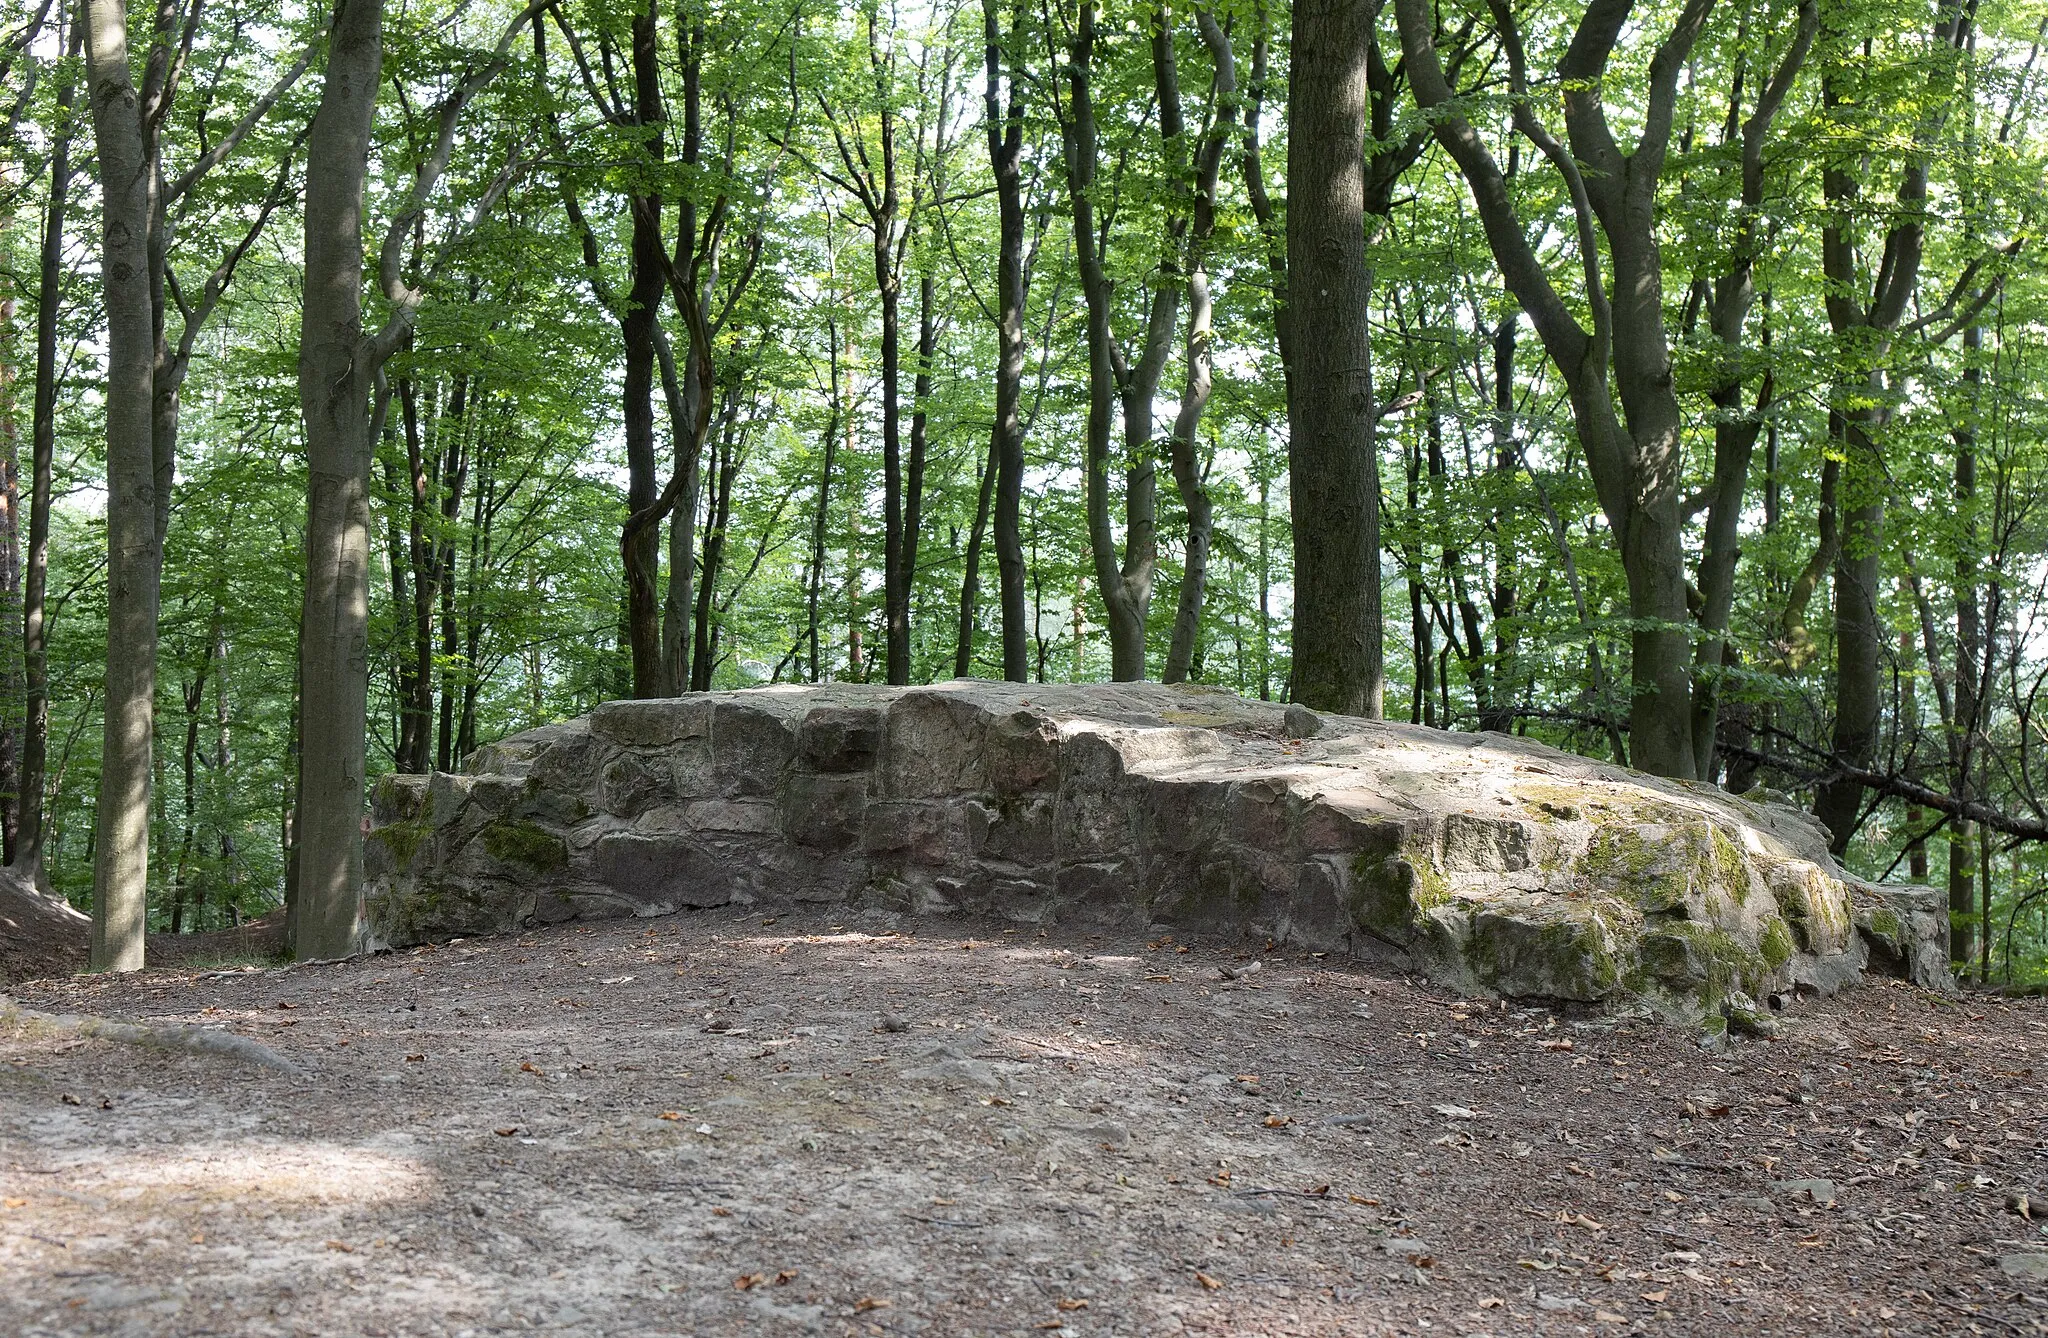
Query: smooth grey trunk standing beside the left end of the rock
335,386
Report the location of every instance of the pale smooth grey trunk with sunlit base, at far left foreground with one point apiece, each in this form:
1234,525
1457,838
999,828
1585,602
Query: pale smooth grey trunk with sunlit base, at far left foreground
122,837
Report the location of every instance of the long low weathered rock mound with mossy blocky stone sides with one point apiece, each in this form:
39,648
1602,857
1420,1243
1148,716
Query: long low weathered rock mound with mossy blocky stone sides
1492,864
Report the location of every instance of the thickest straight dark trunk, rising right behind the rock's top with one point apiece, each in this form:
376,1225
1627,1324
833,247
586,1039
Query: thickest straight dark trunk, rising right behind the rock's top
1332,446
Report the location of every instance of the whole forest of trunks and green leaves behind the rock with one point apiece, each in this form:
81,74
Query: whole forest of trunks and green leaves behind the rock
1658,380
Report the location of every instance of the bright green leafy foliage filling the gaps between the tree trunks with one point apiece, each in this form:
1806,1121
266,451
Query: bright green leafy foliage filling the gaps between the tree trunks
499,478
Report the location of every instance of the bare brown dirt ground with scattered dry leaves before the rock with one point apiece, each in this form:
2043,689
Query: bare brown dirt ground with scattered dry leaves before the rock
728,1124
